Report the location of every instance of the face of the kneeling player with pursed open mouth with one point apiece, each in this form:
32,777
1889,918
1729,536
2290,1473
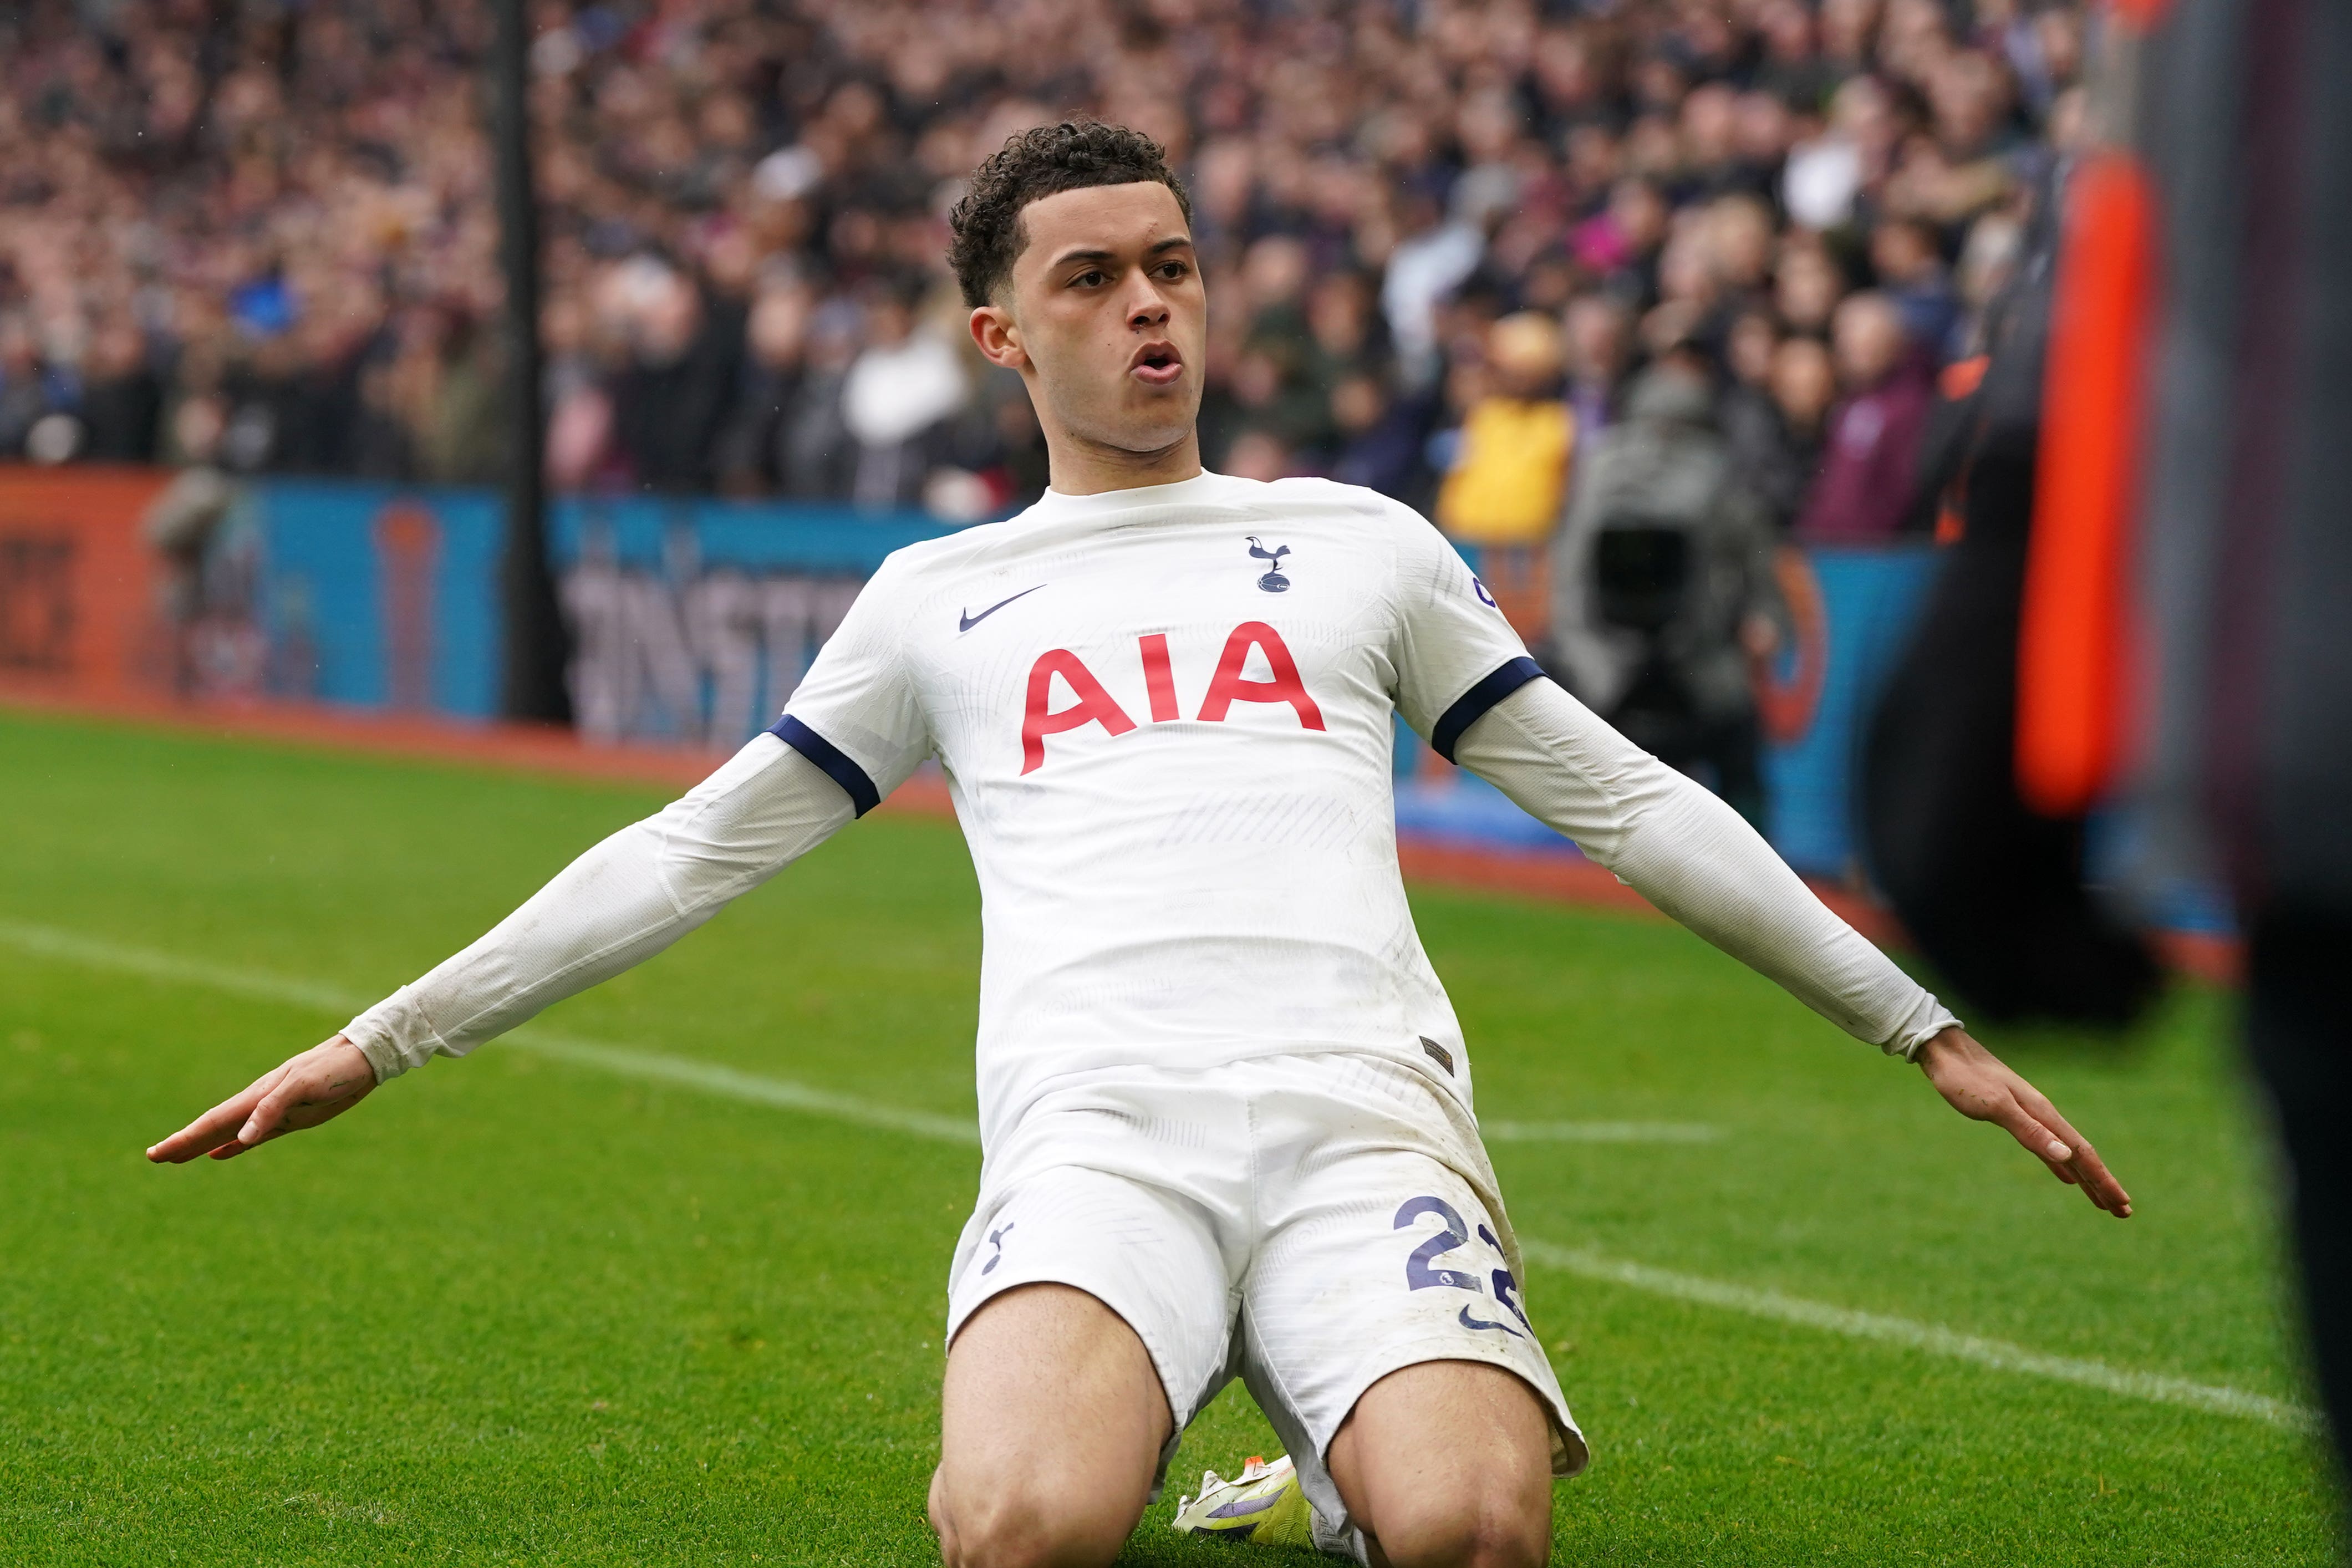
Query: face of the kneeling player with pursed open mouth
1109,316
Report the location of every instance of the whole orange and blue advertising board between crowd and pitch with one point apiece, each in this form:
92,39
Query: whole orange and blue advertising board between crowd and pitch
693,619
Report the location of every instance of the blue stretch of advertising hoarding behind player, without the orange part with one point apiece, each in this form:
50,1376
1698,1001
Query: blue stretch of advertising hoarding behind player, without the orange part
695,619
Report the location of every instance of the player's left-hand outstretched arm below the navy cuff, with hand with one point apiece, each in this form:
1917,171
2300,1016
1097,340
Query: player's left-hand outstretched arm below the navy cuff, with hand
613,909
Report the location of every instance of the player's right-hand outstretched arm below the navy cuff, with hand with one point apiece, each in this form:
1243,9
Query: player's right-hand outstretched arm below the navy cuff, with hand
1695,859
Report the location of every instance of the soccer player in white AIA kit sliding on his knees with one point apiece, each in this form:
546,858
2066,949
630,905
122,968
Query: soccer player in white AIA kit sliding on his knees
1224,1101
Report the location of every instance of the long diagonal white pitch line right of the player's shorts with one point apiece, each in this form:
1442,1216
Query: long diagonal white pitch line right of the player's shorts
1935,1339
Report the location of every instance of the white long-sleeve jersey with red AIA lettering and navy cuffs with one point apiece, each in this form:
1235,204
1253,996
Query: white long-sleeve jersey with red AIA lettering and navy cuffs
1165,718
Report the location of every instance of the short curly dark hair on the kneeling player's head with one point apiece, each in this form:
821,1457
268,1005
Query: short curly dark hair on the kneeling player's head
1038,163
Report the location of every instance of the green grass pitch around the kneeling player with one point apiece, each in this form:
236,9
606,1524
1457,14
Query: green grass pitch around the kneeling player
523,1311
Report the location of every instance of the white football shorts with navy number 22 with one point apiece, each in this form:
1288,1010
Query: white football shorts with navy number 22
1309,1224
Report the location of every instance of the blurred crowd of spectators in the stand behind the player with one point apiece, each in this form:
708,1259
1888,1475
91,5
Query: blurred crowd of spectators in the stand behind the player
1455,248
